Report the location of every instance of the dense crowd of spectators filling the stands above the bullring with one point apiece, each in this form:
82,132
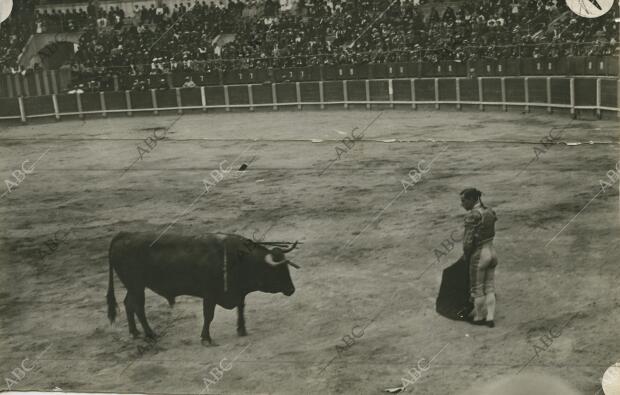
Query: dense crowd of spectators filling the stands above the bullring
158,39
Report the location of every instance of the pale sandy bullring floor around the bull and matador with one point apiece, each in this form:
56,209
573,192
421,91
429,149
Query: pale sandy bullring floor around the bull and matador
367,257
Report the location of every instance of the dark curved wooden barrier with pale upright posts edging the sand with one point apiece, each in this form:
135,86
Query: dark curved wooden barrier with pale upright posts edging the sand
596,94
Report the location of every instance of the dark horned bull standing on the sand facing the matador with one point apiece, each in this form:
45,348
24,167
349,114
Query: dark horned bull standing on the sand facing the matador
219,268
